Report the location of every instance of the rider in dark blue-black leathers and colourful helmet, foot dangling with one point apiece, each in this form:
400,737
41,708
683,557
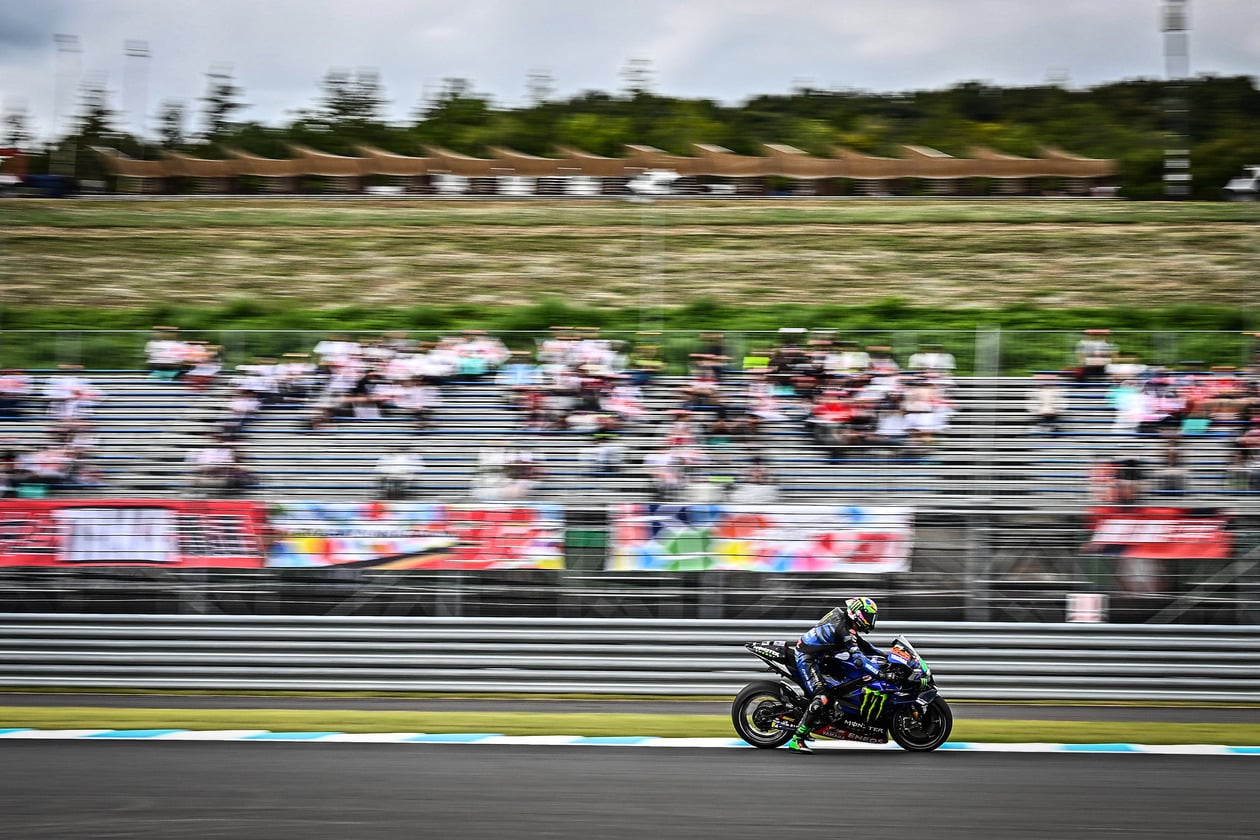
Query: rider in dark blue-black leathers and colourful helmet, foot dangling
837,634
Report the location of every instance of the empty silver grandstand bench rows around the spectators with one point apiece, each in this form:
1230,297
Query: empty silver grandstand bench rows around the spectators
990,460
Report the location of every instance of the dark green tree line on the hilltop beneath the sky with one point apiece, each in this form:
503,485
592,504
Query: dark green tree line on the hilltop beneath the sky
1123,120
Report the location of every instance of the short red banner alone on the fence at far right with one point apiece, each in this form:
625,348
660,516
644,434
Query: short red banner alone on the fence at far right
1160,533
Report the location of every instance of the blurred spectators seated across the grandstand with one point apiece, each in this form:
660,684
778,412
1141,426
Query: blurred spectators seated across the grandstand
706,436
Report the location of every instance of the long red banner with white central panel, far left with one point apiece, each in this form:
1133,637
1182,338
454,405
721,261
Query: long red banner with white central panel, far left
168,533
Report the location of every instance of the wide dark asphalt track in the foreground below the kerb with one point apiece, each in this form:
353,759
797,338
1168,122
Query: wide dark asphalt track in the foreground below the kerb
101,792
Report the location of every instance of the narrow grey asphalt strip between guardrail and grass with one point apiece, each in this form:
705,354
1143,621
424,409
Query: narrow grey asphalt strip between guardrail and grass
962,711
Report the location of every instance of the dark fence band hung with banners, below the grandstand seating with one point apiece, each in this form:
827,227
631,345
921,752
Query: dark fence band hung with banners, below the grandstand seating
670,562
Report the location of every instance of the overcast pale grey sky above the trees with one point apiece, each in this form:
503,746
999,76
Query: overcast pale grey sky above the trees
278,51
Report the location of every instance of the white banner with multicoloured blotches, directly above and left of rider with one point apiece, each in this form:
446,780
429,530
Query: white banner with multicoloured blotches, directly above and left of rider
762,538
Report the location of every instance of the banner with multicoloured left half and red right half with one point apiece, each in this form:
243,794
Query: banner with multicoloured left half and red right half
415,536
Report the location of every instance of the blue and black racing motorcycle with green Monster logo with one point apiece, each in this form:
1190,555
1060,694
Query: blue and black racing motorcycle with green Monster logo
900,702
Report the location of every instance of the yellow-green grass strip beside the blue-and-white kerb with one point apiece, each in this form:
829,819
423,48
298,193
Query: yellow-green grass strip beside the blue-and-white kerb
590,725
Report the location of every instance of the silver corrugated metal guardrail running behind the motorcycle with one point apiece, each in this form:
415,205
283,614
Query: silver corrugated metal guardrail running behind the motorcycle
999,662
